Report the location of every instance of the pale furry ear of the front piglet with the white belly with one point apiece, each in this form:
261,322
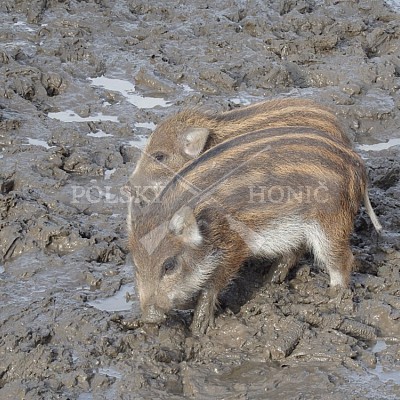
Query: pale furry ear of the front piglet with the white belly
184,225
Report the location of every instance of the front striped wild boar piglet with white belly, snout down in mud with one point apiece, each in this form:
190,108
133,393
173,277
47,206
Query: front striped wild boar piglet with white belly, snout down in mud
193,240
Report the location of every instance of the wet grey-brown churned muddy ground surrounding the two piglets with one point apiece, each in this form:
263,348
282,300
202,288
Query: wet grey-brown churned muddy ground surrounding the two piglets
69,138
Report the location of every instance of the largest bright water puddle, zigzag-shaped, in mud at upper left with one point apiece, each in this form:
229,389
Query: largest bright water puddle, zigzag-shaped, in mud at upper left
127,89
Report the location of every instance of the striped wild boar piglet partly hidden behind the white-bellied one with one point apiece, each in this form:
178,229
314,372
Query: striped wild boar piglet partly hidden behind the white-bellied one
169,139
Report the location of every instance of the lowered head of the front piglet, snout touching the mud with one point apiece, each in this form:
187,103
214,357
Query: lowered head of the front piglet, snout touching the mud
173,258
